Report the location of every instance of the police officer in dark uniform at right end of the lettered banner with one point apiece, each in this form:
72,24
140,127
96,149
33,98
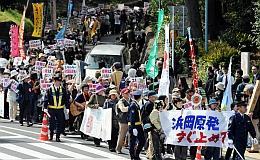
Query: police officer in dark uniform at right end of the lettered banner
239,126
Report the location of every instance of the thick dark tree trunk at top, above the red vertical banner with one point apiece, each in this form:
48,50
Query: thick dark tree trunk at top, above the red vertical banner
194,17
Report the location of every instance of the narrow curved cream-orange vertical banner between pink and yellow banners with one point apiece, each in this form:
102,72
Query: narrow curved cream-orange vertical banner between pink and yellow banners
21,32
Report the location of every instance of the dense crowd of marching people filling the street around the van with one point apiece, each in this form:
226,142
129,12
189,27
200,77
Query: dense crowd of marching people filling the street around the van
126,100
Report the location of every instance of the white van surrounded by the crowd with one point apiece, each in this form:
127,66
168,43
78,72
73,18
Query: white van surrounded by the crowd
108,53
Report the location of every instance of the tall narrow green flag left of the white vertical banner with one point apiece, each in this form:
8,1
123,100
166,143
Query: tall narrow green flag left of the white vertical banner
151,68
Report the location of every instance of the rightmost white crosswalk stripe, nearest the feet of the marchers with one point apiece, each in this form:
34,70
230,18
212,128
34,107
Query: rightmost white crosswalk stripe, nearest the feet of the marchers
93,150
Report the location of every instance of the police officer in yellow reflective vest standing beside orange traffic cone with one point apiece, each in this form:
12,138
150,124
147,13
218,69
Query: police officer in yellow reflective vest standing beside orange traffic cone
56,99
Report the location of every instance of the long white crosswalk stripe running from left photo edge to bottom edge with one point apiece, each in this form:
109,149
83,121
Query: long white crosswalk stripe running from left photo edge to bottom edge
26,151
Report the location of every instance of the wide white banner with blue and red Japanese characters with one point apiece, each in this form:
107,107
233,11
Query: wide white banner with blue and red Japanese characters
195,127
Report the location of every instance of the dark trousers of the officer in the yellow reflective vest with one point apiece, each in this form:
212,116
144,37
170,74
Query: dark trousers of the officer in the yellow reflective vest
57,120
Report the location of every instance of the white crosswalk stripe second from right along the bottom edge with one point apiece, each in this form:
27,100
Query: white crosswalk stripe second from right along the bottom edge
60,150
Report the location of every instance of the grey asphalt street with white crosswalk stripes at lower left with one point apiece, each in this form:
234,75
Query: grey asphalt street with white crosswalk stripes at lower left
21,142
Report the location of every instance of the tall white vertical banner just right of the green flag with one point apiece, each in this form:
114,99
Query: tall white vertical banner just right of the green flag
165,82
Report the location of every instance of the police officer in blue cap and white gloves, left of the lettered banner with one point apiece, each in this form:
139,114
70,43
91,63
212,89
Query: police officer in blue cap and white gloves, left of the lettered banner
135,127
